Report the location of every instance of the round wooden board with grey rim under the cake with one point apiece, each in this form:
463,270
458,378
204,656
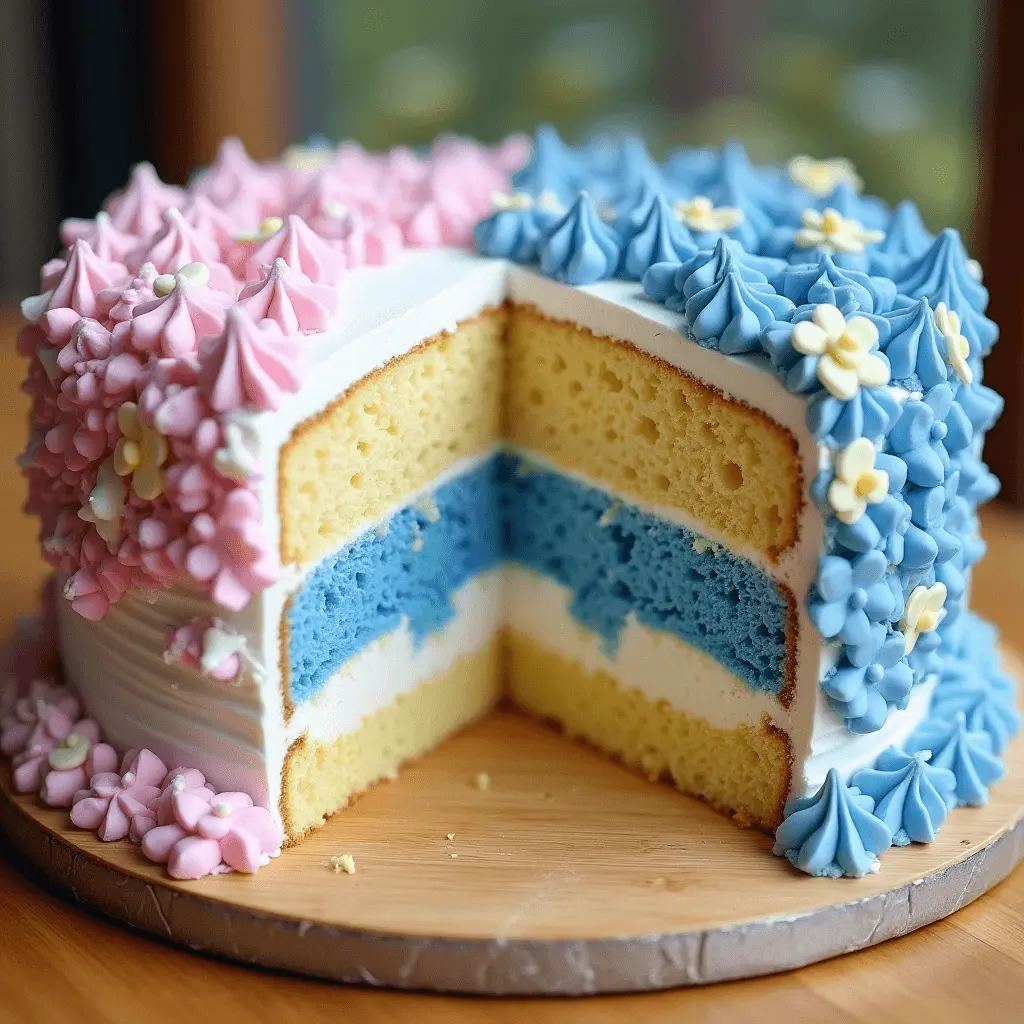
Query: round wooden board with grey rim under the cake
570,875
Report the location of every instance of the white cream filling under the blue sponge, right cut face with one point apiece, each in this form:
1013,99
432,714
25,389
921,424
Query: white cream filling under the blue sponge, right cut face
659,665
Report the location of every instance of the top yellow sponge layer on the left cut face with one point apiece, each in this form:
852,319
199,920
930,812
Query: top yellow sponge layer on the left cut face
390,436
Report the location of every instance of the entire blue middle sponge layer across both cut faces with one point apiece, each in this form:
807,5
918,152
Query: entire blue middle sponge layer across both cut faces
615,559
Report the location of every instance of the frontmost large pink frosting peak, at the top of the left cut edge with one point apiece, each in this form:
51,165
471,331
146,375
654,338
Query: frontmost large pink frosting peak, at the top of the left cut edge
248,366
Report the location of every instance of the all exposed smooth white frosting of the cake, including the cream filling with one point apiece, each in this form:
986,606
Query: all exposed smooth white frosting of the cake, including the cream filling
239,735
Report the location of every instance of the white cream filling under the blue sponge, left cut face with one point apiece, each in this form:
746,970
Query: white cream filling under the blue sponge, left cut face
395,664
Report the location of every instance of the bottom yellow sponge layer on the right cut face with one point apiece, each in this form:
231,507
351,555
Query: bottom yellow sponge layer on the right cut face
744,773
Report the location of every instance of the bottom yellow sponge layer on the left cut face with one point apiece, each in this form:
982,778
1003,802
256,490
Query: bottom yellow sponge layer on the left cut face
321,779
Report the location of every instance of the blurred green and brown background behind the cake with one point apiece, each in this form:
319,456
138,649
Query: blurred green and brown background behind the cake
912,91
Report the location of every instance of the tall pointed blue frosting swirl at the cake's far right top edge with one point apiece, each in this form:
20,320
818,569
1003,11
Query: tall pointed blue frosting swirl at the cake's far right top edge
943,274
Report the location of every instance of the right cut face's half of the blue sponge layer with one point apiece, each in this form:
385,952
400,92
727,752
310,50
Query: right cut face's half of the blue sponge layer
618,560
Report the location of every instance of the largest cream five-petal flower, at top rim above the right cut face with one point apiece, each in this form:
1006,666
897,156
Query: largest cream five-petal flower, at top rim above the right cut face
844,349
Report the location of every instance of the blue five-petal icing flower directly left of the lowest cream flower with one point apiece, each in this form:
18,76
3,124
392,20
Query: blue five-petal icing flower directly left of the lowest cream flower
851,602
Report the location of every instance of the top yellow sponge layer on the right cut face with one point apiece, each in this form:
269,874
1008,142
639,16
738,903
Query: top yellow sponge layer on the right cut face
647,430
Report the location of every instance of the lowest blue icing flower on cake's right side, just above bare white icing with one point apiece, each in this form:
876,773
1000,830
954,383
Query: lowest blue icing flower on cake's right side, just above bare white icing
863,696
